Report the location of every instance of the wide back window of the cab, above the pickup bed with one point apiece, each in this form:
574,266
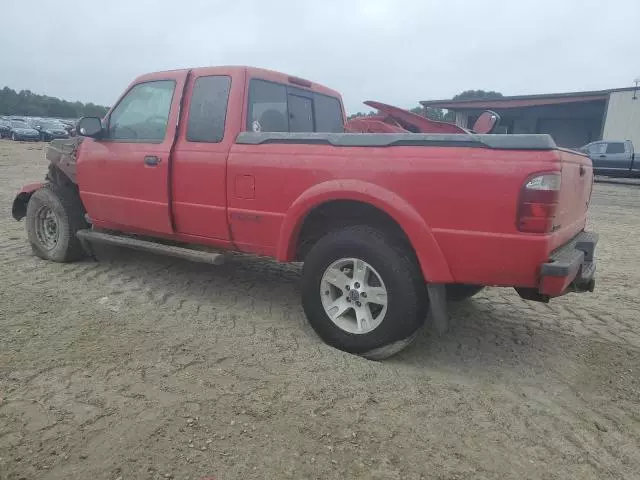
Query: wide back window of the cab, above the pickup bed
280,108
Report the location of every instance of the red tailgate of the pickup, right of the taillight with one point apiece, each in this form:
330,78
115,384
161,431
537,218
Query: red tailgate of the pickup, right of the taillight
575,194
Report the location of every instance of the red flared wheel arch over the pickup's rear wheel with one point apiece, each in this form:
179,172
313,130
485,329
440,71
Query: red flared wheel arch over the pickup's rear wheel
432,262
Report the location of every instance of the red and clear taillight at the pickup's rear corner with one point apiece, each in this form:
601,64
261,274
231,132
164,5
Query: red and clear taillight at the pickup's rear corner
538,203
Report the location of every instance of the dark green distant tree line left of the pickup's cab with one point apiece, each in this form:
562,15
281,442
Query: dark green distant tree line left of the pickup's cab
27,103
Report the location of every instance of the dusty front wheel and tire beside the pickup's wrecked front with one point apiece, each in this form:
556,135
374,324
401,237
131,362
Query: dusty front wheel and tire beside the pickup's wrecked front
67,214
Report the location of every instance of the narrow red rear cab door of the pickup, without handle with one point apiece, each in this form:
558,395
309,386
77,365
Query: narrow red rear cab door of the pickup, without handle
211,119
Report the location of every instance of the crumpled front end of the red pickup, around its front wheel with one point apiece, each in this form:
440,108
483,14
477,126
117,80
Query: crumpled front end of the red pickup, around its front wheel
61,154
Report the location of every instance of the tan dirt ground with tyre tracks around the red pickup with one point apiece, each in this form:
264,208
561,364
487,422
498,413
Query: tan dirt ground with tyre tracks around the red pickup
143,367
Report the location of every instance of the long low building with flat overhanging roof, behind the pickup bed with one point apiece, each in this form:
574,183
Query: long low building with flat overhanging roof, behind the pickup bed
573,119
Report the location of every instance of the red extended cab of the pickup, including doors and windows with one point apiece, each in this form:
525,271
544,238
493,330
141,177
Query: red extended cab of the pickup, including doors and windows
146,146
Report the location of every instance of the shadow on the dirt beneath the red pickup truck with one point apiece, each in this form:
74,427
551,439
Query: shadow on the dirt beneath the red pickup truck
490,330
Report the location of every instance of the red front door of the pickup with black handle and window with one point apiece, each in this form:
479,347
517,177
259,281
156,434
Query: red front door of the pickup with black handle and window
123,176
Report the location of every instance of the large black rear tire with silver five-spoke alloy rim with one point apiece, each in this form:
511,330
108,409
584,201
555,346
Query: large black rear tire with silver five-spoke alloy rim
390,261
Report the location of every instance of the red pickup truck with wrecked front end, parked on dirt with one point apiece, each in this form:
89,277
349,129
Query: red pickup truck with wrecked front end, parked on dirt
389,225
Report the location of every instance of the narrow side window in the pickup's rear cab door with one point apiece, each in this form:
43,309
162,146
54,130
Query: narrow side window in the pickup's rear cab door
208,109
